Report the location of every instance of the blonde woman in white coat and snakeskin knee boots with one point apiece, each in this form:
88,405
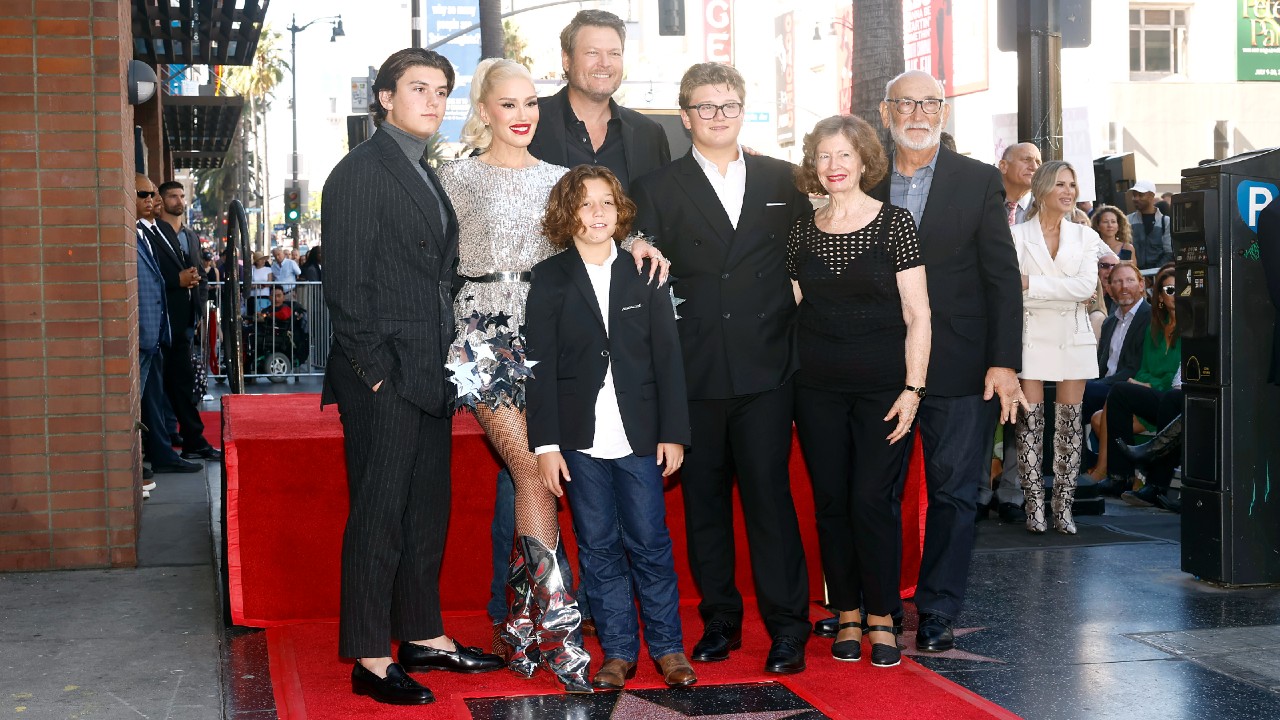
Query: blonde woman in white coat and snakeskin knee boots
1059,262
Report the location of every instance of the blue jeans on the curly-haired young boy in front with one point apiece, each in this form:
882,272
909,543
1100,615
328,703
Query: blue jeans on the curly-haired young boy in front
623,543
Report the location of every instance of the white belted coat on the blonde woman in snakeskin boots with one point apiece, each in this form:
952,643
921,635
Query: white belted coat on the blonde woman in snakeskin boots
1058,338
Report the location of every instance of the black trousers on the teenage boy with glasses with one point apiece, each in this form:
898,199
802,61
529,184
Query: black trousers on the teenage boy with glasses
751,438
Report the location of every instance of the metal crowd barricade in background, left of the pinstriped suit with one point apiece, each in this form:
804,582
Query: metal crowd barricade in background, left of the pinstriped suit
282,341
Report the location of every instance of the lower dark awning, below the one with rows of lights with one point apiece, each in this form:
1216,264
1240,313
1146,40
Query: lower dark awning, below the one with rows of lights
199,129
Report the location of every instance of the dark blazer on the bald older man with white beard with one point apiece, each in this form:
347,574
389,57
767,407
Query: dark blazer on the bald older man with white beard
976,293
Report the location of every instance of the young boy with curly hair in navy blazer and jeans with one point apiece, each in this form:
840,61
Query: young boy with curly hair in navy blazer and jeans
609,414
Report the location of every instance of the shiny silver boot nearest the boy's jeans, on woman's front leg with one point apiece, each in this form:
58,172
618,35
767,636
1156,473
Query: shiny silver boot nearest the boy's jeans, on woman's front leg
560,635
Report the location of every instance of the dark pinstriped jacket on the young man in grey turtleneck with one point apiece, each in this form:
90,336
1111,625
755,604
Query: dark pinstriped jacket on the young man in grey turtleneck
390,266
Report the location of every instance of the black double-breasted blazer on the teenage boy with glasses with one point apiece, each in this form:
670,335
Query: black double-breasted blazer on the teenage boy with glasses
738,321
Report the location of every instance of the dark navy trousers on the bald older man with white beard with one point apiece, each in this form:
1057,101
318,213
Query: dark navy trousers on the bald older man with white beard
957,435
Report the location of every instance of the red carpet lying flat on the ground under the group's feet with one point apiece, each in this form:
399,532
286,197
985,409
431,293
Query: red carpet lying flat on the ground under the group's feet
312,683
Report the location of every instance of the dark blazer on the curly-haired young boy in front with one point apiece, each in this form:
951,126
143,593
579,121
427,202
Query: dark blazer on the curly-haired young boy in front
565,331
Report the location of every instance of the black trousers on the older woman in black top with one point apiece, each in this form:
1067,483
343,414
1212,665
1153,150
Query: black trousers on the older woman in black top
856,476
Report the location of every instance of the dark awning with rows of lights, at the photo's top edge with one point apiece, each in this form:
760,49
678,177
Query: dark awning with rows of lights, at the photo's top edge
198,33
